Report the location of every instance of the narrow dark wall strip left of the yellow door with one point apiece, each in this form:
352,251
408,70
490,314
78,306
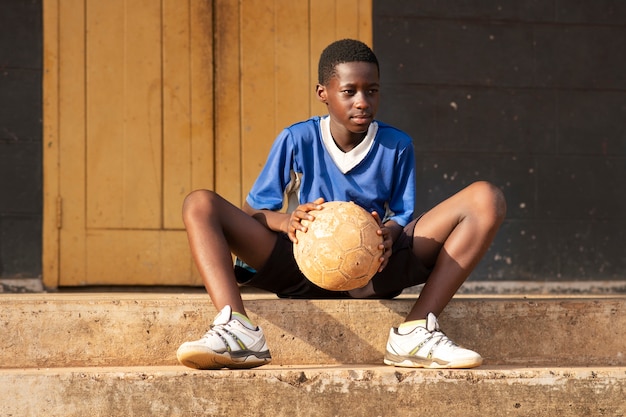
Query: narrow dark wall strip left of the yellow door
20,138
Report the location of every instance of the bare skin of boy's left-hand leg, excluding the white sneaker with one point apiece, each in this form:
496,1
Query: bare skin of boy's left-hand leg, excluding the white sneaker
216,227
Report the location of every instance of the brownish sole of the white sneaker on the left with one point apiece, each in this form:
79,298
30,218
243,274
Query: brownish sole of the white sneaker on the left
212,360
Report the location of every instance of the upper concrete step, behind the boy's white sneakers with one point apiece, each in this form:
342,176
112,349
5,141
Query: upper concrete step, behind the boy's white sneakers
138,329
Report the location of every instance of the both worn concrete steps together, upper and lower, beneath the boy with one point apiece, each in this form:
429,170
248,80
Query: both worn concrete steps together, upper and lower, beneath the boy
113,354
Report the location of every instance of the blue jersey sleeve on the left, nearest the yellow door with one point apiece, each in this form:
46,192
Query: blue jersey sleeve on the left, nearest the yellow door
269,188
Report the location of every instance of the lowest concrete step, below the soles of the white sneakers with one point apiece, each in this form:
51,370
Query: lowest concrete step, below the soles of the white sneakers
301,391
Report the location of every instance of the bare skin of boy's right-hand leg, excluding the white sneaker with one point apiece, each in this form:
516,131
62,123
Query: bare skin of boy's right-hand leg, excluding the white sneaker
452,238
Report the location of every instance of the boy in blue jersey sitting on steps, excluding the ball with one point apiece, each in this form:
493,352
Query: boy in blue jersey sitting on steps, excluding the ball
346,156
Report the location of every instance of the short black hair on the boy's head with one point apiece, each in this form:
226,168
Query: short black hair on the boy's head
339,52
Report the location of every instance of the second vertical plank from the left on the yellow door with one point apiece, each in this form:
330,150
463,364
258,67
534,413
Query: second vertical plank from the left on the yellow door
105,112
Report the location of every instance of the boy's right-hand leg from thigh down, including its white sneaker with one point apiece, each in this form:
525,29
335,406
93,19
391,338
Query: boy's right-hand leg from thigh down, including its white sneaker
451,239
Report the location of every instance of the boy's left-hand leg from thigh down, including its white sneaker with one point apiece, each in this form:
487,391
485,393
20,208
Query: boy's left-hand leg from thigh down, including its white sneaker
215,228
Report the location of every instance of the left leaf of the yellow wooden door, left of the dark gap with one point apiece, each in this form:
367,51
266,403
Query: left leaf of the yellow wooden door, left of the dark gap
134,134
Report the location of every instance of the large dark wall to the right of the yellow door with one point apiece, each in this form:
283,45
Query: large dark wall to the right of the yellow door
531,96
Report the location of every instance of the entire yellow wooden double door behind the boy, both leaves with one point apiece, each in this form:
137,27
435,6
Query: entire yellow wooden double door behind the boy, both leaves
146,100
